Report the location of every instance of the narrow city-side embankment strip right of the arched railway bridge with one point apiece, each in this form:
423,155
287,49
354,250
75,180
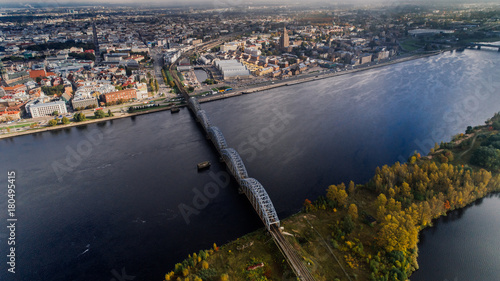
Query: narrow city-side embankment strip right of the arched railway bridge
311,77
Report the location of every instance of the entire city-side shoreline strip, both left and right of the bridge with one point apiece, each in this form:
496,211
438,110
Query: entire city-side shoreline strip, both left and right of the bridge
298,80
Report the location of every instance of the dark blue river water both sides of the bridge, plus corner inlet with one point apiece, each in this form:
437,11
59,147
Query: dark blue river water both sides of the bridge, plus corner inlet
97,201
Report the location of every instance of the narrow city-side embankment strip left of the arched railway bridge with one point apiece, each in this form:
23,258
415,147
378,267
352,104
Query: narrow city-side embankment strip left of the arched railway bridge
90,121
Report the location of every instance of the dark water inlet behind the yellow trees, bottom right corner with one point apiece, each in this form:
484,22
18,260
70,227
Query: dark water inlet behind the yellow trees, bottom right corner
463,245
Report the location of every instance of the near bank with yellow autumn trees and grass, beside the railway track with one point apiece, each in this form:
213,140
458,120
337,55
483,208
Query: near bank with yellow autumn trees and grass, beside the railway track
364,232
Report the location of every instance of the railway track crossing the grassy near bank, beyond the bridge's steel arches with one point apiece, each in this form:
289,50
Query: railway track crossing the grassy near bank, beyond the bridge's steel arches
292,257
